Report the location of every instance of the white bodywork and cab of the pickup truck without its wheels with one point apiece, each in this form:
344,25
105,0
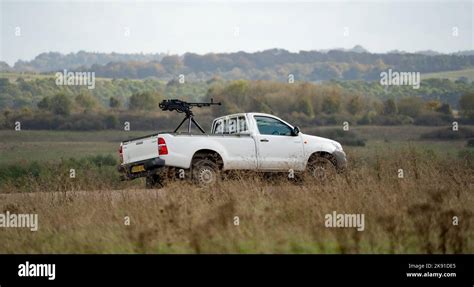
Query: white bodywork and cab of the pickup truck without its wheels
245,141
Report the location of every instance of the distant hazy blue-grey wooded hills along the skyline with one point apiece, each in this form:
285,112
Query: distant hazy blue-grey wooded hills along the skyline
273,64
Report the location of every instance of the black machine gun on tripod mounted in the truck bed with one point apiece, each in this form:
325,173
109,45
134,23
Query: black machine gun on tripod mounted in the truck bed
185,107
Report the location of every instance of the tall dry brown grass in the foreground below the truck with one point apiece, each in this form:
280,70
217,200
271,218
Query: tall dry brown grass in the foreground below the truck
409,215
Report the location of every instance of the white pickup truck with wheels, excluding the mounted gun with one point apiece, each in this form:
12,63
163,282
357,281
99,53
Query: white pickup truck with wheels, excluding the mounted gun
247,141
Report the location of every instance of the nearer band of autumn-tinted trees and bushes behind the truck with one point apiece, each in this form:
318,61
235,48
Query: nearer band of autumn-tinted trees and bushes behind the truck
306,104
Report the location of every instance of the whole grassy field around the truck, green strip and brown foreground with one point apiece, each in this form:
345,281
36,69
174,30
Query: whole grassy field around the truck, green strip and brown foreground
96,213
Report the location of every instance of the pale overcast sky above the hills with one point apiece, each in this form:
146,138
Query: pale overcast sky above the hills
202,27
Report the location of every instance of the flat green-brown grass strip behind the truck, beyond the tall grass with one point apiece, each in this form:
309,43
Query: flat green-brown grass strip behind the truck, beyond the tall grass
26,146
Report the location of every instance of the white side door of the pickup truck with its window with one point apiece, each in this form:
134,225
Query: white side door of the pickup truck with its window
277,147
